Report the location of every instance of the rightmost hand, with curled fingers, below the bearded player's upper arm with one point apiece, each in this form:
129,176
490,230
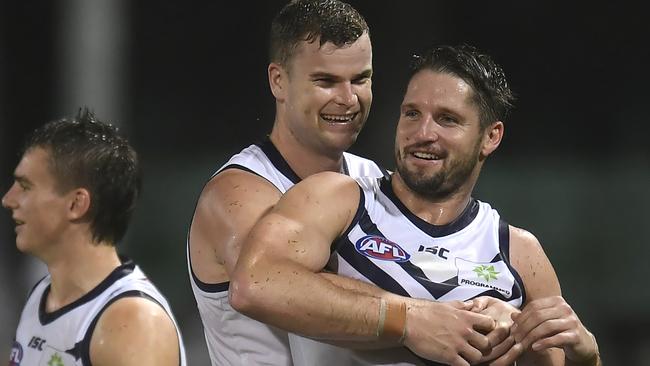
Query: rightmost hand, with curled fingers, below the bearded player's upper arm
550,322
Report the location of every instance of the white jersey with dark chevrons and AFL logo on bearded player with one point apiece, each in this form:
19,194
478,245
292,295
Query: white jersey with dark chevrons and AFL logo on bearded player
389,246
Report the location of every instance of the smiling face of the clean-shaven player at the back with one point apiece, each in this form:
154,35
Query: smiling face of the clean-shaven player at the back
329,94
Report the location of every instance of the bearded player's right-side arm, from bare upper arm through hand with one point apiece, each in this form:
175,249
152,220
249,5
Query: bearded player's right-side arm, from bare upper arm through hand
547,331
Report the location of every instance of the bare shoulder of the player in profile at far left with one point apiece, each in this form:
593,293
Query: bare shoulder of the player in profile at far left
134,331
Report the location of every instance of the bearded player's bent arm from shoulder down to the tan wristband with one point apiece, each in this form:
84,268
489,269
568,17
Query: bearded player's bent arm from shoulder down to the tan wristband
277,278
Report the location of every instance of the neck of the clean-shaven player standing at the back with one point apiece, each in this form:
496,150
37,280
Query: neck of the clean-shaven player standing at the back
304,160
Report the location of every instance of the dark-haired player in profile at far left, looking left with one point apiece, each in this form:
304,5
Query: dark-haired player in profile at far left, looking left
73,194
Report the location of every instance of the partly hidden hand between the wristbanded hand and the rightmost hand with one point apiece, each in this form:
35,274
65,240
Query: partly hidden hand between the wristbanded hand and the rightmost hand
499,338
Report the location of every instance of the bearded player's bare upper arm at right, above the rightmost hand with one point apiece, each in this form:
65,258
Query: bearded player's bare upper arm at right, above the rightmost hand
529,259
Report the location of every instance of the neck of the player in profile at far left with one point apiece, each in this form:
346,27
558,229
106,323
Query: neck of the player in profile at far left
79,267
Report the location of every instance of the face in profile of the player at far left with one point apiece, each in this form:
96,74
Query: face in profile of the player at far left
38,210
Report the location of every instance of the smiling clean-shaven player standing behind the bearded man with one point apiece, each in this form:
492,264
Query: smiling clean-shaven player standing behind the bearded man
320,75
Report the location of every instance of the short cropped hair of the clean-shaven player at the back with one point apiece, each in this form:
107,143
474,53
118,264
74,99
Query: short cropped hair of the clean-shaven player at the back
305,20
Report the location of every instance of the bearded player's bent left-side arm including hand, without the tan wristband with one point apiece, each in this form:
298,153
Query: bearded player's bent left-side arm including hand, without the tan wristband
276,280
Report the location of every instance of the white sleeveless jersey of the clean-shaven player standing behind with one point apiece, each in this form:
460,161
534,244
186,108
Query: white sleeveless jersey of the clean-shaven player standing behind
235,339
